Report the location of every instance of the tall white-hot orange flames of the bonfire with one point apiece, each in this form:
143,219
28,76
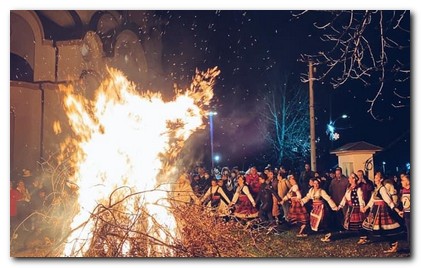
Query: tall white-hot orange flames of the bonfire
123,153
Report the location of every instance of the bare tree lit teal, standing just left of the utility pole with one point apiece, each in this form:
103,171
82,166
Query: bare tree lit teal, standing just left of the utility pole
285,120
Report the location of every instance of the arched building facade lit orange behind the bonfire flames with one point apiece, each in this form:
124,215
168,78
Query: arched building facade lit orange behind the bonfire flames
49,48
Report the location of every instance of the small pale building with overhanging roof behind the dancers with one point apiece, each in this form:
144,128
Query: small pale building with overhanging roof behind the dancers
355,156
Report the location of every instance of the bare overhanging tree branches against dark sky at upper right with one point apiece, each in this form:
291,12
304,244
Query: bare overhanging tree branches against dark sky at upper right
371,46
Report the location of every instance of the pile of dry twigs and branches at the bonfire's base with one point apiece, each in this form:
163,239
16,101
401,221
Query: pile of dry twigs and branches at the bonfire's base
199,234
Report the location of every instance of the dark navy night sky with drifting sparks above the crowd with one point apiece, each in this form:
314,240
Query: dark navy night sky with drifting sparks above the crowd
252,48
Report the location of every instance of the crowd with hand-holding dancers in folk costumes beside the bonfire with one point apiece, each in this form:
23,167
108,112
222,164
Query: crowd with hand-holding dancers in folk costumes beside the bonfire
330,203
